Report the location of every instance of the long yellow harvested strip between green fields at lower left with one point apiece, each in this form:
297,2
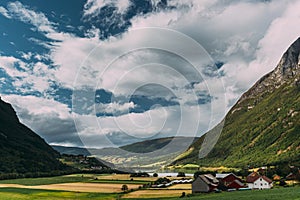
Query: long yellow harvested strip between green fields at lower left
78,187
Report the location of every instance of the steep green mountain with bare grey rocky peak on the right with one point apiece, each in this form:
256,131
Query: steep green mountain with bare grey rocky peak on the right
263,127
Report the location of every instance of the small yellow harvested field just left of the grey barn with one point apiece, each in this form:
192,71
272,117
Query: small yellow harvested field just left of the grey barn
156,193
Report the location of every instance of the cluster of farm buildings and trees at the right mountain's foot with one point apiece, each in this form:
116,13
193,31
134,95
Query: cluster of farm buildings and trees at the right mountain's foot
256,180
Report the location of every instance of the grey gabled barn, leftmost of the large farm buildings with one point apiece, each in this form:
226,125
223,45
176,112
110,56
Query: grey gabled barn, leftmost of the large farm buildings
204,183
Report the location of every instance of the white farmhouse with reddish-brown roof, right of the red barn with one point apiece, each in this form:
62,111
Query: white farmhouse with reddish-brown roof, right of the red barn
256,181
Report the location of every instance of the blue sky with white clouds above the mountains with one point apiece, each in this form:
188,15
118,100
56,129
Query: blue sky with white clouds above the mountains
101,73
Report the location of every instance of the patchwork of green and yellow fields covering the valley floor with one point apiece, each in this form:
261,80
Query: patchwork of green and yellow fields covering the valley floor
87,186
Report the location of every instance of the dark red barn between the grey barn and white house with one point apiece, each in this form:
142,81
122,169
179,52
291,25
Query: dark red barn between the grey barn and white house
229,181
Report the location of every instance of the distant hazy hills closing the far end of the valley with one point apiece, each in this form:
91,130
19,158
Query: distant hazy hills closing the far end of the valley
148,154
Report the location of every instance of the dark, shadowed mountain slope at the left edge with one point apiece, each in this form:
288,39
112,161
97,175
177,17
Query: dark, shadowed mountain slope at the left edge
21,150
